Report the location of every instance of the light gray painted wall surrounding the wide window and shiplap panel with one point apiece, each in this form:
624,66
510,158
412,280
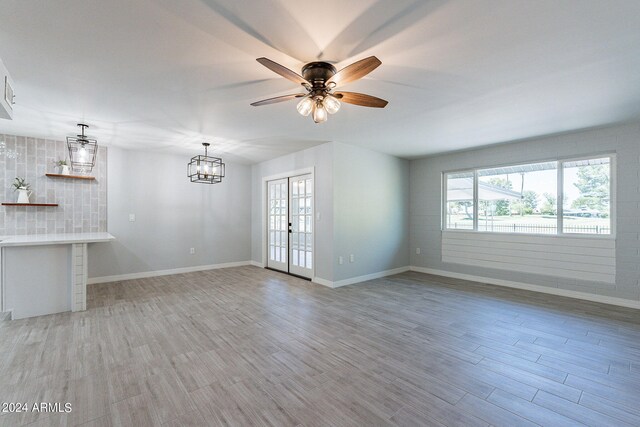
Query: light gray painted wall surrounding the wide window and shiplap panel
624,140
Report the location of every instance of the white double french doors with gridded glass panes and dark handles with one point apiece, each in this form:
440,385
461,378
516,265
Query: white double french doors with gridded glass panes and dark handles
290,225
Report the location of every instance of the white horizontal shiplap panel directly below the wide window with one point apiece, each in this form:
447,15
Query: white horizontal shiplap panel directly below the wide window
583,258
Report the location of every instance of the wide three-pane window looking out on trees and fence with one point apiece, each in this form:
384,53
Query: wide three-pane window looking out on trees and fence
524,198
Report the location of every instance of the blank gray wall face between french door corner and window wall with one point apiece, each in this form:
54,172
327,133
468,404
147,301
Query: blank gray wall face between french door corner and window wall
370,211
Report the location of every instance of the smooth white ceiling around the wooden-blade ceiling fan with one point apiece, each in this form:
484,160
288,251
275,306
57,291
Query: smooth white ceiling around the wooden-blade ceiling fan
168,74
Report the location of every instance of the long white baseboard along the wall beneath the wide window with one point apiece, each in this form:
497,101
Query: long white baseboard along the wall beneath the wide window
529,287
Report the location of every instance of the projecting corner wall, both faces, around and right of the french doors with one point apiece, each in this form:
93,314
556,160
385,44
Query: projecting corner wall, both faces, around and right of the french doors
362,198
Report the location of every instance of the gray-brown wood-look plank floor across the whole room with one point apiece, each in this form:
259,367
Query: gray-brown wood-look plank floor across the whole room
247,346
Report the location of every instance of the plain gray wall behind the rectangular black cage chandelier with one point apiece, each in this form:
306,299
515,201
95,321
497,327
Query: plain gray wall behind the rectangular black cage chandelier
172,216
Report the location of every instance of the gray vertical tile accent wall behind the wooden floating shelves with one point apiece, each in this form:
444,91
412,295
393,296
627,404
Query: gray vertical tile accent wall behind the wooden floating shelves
82,204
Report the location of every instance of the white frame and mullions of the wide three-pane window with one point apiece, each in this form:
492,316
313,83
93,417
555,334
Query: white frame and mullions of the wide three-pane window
559,196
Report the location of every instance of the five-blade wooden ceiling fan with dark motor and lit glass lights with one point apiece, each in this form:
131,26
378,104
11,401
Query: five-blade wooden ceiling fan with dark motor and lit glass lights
320,79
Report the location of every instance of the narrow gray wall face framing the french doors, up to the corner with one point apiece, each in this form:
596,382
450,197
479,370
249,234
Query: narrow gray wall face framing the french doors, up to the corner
321,158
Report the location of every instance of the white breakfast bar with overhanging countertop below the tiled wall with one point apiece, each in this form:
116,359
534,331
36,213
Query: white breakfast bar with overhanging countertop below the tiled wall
45,274
